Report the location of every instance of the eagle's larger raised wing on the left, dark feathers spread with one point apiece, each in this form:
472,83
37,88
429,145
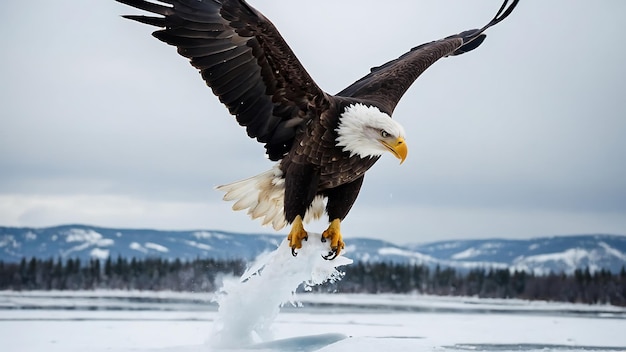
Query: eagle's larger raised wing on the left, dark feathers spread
246,62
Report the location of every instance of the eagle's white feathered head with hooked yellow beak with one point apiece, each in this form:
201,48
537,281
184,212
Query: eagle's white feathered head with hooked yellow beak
368,132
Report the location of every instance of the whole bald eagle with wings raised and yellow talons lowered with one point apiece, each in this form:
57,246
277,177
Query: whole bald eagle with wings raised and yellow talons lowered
322,144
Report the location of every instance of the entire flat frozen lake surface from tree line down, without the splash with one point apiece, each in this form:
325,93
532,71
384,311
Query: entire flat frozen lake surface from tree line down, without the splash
374,323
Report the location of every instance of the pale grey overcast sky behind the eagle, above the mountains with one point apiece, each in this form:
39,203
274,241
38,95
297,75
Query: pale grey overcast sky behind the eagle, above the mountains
526,136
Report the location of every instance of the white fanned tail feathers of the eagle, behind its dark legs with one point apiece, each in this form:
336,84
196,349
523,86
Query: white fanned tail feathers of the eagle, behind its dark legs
264,197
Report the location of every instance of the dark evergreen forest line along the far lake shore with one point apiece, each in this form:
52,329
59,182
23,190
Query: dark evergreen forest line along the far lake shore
203,275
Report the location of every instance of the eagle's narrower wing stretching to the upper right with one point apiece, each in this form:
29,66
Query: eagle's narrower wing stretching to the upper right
386,84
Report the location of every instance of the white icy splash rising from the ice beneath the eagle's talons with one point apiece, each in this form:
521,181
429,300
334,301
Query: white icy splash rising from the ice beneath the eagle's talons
249,305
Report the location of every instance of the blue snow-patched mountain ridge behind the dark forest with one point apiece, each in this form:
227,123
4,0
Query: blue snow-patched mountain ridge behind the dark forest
540,255
